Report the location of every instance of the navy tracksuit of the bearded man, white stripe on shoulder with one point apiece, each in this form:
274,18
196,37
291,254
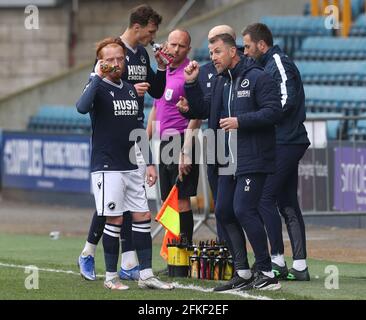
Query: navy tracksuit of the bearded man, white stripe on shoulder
280,190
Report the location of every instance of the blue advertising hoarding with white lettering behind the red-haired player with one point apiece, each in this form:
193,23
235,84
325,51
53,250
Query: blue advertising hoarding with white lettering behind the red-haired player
46,162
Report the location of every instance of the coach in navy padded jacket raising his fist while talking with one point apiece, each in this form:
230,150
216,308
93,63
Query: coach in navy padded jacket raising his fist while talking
244,98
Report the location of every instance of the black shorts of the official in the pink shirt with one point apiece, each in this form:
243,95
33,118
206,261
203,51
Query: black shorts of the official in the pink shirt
168,174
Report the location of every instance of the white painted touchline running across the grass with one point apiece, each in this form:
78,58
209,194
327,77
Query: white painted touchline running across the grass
176,284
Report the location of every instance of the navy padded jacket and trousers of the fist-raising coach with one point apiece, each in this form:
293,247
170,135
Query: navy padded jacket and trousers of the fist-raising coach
254,101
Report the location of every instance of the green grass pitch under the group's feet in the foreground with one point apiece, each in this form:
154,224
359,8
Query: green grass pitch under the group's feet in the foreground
61,254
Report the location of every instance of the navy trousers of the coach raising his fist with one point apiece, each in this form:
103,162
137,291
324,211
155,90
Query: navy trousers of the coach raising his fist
237,209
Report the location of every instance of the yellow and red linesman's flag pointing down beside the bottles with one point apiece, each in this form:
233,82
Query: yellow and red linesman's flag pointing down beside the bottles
168,217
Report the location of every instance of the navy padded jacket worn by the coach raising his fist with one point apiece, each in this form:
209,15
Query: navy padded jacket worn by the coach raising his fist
256,104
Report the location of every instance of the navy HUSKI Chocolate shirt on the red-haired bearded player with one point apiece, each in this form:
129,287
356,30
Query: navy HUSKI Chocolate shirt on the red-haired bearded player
114,112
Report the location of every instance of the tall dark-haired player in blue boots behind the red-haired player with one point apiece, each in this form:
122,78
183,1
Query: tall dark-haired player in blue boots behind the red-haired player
143,25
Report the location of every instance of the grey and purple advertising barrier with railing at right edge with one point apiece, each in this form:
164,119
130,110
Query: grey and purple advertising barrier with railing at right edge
332,173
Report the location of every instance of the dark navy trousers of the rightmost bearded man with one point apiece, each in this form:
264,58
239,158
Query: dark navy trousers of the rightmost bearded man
280,191
